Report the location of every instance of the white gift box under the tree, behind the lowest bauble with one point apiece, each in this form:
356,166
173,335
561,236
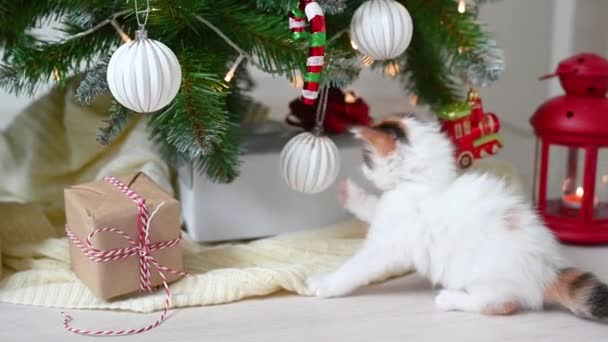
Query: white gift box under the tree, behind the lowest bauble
259,203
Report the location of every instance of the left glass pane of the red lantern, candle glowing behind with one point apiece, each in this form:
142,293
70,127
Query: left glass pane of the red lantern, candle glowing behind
565,181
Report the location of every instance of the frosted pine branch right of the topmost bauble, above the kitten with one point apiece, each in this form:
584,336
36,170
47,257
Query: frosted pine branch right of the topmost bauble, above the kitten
448,50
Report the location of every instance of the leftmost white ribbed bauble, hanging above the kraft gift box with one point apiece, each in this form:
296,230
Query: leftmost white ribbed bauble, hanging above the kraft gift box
144,75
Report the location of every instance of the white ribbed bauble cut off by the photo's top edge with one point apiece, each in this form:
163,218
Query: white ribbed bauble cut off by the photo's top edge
381,29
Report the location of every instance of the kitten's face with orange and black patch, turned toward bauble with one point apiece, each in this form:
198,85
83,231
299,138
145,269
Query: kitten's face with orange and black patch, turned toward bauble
382,158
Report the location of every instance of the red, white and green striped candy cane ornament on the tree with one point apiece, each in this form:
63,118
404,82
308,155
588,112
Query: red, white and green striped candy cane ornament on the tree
308,10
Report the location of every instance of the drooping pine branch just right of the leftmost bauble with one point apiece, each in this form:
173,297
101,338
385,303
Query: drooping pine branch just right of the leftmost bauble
197,126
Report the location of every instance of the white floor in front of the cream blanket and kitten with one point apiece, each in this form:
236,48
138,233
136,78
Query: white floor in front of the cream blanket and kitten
398,310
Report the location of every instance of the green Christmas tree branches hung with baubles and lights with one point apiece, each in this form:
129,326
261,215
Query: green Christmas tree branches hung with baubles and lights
449,49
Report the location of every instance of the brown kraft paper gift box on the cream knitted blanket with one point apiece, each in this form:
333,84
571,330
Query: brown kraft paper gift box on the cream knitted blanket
101,204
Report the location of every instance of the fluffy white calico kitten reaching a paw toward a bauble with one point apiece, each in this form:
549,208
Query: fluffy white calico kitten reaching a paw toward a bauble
471,234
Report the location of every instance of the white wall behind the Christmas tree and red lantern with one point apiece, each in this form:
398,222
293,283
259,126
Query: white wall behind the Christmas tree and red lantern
535,35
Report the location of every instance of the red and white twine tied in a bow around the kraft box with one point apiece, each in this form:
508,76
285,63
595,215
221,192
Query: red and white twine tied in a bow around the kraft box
141,248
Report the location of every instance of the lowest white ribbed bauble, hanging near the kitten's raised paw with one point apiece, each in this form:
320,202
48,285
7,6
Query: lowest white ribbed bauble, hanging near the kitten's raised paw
310,163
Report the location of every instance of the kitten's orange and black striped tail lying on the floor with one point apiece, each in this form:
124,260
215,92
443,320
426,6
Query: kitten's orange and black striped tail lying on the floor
580,292
